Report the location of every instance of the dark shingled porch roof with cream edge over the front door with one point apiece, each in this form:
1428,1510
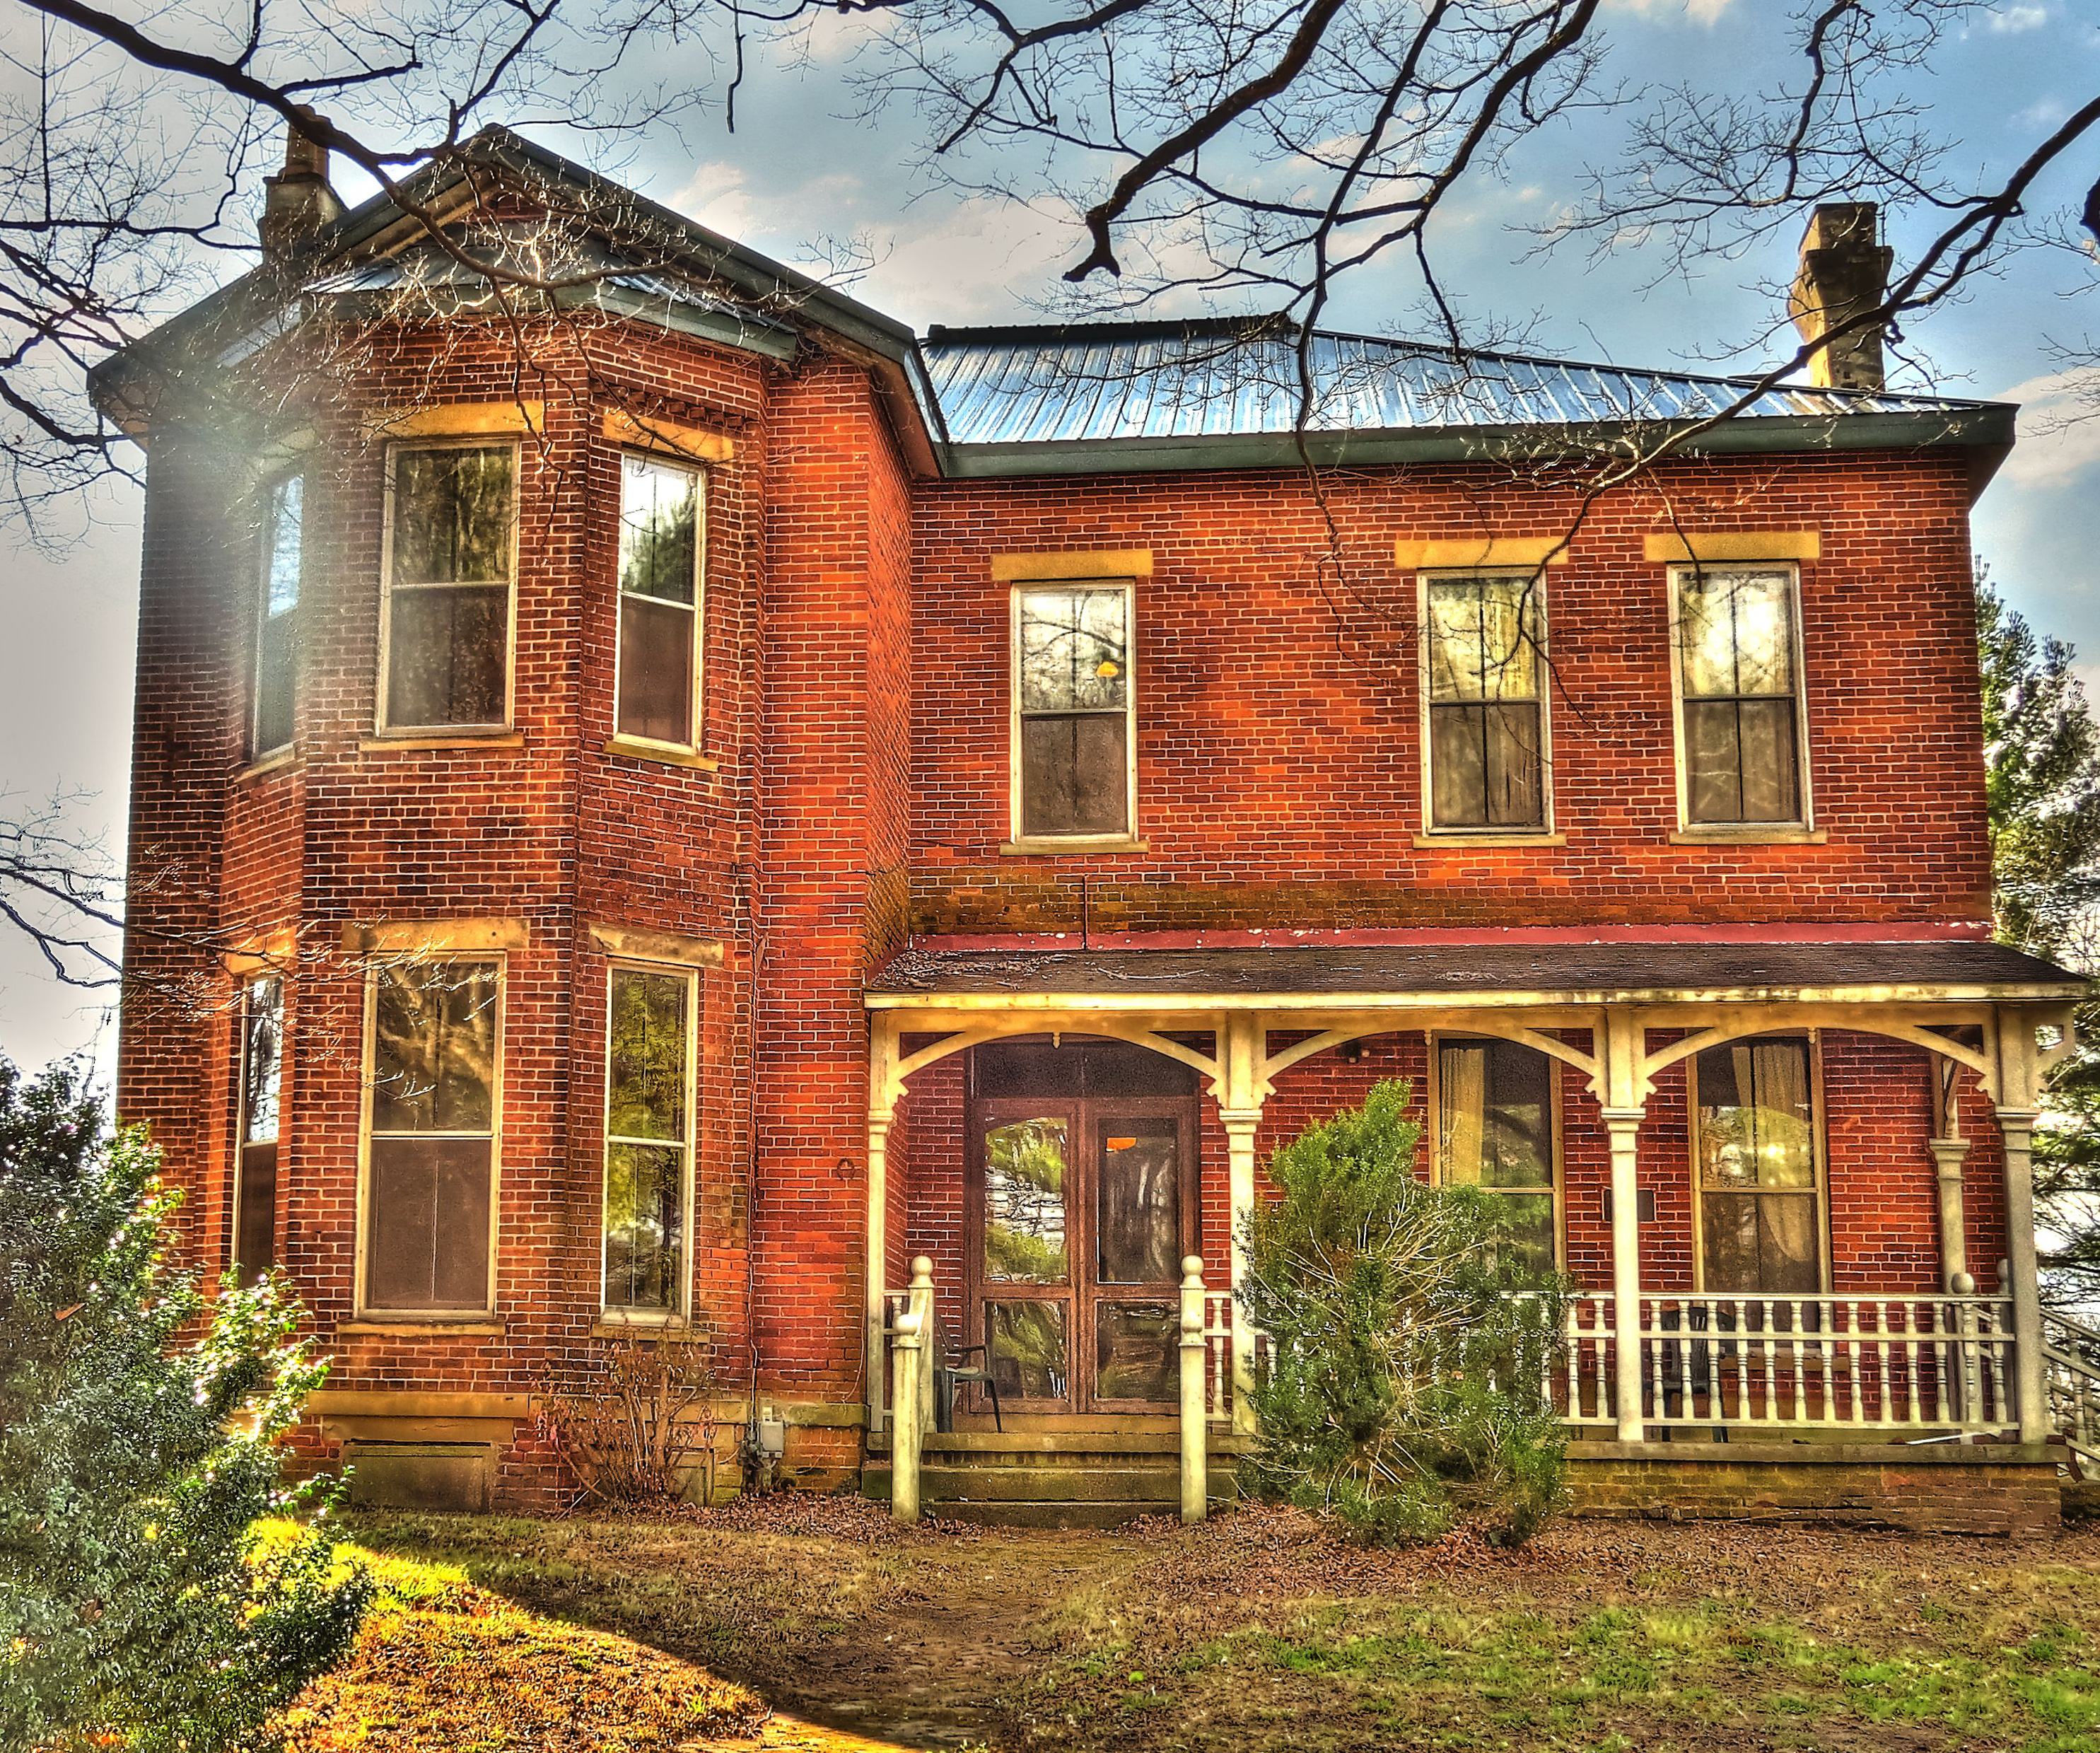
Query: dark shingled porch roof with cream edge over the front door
1475,973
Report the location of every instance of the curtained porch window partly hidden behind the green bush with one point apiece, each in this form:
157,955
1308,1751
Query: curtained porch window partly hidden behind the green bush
1496,1128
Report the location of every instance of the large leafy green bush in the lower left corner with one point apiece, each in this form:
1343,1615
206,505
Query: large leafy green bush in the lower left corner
138,1452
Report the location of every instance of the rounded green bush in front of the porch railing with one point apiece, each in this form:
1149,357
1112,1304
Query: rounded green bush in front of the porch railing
1408,1340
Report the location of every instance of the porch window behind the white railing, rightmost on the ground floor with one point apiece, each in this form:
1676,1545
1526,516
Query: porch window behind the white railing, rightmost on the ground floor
1757,1164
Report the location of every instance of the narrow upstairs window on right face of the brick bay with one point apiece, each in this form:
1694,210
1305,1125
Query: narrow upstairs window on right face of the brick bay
660,601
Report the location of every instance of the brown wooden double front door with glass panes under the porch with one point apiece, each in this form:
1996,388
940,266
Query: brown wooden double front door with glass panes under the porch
1083,1206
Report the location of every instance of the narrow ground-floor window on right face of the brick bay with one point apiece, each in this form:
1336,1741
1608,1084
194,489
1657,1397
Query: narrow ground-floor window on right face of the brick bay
648,1139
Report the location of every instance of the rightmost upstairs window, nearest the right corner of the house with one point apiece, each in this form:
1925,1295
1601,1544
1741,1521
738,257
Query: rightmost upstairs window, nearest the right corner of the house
1740,696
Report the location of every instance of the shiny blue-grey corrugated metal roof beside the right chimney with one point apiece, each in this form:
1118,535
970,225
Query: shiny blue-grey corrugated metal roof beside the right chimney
1190,381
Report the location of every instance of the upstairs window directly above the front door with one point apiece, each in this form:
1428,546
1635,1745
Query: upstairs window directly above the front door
1074,713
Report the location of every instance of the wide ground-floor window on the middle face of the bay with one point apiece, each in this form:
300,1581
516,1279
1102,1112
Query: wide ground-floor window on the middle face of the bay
429,1191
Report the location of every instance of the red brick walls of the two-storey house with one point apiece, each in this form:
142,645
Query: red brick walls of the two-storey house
854,793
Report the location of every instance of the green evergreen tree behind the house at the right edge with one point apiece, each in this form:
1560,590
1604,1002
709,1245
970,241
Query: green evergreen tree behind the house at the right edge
2042,774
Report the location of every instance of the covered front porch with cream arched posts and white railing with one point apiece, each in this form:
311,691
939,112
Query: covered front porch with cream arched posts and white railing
1803,1170
